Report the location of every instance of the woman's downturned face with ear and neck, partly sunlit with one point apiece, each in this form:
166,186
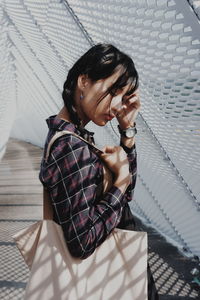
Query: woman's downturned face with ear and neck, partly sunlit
94,106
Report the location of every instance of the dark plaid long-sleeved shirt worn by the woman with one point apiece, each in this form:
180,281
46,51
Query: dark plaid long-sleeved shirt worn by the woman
73,175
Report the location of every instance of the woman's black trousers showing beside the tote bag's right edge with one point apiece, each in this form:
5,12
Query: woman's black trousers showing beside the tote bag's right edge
127,222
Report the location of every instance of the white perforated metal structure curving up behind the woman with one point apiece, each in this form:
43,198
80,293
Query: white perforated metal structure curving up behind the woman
41,39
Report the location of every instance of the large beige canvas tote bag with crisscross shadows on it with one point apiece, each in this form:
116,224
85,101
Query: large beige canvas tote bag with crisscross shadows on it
116,270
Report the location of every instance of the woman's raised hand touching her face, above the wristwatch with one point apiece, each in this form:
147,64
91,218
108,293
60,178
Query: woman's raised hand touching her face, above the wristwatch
130,108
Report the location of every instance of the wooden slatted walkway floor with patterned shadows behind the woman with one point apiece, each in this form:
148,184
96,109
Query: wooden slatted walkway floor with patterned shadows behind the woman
21,205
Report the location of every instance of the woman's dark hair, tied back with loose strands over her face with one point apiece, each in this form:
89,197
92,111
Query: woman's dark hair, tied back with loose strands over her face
99,62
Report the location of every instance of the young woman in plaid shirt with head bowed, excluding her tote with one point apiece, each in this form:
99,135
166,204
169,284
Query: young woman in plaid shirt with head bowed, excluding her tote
102,85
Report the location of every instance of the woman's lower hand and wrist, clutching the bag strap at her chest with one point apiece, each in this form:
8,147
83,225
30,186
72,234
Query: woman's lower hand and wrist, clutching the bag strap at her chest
116,160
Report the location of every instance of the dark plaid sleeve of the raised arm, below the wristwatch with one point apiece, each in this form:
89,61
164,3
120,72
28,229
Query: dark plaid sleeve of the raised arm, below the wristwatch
132,158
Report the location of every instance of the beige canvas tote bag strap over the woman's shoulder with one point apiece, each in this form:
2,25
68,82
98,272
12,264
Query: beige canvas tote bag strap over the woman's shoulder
47,206
